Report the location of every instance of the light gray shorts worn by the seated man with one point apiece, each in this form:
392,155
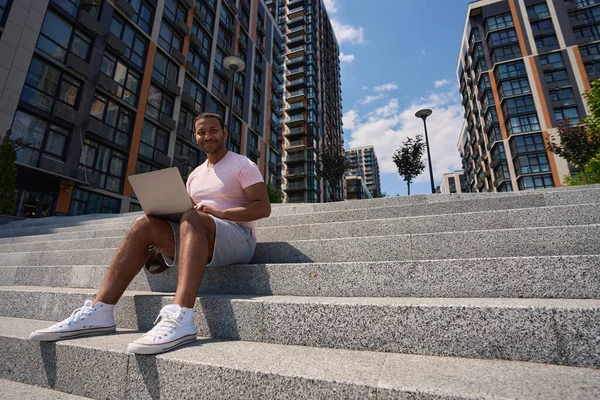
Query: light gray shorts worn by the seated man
234,244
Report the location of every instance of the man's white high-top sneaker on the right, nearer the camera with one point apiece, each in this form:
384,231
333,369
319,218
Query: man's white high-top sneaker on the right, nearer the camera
176,328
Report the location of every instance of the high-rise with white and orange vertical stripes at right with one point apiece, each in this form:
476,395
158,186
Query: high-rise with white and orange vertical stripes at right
522,69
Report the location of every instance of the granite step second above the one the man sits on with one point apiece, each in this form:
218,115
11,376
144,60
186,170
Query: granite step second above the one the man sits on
500,219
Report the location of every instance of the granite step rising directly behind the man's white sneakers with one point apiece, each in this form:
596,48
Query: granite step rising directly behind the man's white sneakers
552,331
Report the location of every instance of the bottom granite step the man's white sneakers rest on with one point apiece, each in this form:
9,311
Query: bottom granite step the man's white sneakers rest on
216,369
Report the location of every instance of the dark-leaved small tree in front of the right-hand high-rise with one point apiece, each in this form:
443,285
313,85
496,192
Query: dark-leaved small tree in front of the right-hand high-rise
577,144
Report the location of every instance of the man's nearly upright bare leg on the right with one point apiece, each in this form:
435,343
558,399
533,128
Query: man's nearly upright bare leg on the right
197,235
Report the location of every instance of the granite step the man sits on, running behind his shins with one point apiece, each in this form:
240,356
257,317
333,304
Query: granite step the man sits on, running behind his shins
526,277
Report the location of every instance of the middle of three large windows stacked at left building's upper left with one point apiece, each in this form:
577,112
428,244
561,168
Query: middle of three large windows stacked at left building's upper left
45,84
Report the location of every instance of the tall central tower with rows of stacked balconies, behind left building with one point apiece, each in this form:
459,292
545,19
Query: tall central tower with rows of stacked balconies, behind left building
313,104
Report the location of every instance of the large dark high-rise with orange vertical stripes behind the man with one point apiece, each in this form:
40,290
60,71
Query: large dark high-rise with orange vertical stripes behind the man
100,90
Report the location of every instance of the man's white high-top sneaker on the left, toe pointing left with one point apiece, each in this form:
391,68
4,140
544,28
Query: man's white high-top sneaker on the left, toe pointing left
85,321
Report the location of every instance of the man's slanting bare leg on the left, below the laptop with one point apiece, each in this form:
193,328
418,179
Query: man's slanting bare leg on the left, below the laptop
131,254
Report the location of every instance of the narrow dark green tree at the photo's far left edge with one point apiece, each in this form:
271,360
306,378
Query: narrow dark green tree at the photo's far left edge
8,173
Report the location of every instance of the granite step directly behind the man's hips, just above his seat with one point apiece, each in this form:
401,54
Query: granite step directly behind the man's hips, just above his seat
557,240
